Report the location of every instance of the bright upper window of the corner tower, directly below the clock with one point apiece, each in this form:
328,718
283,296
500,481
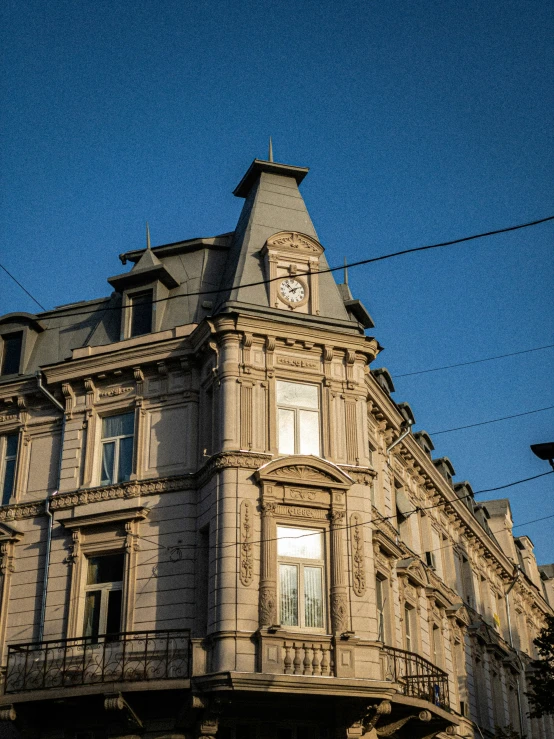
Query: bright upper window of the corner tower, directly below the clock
298,418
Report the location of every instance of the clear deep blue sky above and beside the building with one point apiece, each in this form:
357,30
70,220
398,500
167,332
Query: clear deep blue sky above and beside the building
420,121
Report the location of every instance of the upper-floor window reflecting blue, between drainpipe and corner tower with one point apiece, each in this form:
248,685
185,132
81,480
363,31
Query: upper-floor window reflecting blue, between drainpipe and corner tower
117,448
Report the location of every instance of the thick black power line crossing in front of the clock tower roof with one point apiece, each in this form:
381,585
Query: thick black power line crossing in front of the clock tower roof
359,263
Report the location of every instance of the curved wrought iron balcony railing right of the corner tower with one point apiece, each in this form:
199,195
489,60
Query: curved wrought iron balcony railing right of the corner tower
418,677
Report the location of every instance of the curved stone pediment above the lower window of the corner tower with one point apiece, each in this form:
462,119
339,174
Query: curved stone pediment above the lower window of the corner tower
304,470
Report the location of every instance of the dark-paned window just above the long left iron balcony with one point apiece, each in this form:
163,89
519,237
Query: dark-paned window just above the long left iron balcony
103,595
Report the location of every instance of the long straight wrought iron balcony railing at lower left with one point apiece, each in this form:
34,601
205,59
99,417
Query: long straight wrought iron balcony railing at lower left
113,658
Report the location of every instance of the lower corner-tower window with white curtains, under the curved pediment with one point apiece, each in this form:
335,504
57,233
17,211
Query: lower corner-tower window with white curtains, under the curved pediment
301,577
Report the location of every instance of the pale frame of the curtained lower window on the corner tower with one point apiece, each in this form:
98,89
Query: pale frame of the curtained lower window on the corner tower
301,563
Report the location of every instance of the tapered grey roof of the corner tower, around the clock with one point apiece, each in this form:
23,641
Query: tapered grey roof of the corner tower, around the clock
273,203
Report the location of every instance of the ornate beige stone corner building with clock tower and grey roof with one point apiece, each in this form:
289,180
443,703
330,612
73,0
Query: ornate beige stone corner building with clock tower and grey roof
216,521
